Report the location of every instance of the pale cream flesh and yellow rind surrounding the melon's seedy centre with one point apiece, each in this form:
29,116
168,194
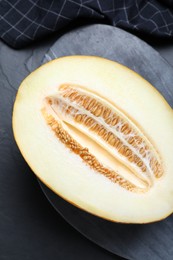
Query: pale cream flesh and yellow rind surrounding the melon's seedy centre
63,171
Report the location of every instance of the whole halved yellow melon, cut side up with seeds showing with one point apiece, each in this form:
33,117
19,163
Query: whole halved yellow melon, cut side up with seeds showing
100,136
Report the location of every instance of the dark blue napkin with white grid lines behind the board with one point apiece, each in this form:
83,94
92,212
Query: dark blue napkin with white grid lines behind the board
24,21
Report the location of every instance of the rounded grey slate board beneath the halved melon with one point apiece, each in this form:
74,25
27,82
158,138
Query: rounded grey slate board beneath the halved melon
149,241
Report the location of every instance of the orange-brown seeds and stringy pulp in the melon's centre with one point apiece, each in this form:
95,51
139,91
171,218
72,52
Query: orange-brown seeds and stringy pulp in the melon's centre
108,127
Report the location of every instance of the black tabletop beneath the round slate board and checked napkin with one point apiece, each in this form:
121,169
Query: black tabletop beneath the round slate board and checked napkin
29,226
